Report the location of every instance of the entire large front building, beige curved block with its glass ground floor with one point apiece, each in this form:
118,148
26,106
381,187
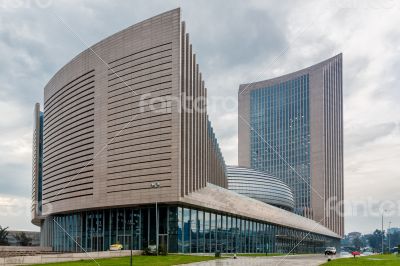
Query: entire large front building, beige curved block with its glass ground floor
128,146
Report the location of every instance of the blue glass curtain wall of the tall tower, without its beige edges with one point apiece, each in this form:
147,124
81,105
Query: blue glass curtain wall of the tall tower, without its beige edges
280,139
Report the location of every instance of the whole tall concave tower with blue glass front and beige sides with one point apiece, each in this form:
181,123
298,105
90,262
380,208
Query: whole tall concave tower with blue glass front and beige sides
292,127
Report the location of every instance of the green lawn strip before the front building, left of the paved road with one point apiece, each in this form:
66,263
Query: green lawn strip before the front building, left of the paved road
137,261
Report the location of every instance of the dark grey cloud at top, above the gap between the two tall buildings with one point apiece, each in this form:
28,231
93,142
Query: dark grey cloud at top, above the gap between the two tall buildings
245,35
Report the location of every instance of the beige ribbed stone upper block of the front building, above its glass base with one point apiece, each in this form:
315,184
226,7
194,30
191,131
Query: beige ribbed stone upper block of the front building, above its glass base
114,123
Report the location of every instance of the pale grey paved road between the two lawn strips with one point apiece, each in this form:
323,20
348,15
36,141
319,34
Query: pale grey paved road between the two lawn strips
291,260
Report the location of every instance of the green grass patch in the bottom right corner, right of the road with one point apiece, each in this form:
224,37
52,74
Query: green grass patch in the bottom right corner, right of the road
386,260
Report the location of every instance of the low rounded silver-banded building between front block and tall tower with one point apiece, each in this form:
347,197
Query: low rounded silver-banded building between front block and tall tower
260,186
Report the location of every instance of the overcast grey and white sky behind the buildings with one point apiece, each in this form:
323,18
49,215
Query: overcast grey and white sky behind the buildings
236,42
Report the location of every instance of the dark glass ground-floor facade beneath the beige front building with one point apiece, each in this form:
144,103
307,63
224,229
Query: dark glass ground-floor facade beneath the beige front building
181,230
